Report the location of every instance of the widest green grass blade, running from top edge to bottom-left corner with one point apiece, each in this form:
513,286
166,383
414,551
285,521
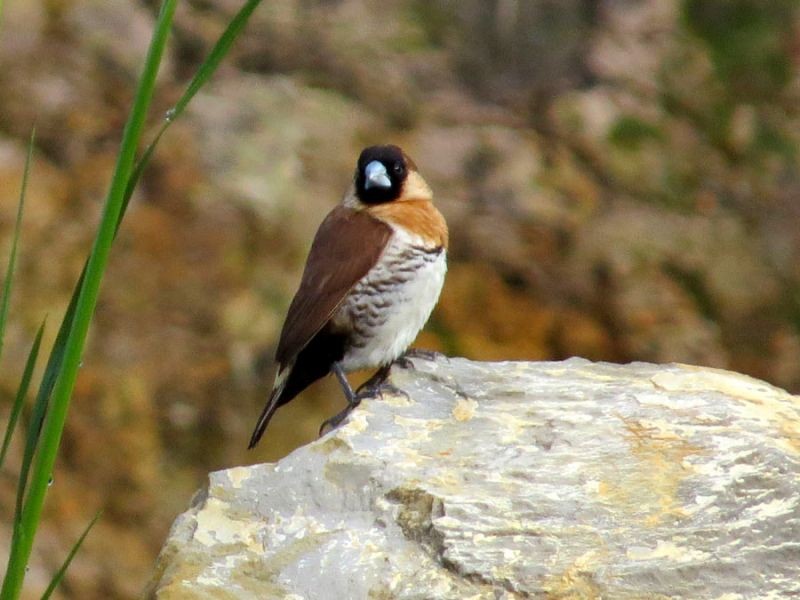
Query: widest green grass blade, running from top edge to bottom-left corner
22,542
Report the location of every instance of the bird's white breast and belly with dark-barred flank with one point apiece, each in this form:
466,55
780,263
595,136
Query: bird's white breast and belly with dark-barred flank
390,305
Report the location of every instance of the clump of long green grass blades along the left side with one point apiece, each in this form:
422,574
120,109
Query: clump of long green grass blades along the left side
52,402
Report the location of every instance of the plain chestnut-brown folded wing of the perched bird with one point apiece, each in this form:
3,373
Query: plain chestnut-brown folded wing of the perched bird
347,245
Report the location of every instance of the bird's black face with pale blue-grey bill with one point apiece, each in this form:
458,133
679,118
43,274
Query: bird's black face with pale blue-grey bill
380,174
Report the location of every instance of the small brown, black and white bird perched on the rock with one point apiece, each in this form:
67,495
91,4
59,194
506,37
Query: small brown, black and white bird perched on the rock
371,280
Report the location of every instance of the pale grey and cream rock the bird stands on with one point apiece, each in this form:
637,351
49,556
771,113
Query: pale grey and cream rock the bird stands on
514,480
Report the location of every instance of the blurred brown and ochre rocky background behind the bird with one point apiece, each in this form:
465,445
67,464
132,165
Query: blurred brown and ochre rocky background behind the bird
620,178
